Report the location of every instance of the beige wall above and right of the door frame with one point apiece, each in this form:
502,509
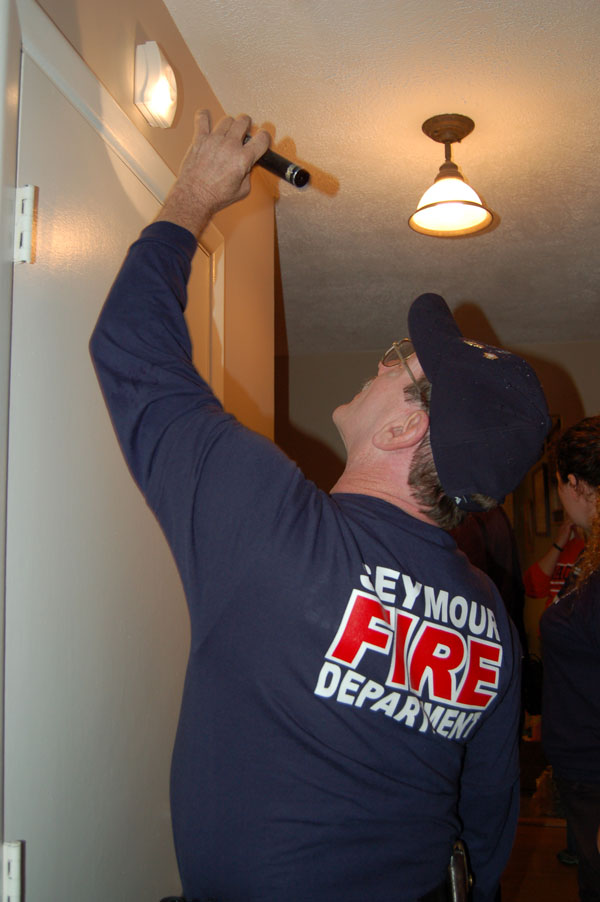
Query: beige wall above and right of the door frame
105,36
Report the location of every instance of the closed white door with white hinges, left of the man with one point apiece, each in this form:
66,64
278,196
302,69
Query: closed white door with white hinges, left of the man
96,626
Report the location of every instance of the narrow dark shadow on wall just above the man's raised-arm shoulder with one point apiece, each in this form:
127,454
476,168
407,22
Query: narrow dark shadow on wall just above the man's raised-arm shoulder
316,460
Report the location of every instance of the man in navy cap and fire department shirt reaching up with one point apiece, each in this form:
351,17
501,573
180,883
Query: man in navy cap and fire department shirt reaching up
352,696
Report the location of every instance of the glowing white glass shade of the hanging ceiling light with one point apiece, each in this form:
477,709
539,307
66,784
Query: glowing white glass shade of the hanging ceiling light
450,208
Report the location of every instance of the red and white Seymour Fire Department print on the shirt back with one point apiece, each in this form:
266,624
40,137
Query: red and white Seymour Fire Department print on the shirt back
431,654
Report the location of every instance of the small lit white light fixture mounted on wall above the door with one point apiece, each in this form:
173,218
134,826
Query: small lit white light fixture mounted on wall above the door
155,88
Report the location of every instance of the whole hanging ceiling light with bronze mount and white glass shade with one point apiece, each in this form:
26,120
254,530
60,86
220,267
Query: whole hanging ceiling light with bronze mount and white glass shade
450,207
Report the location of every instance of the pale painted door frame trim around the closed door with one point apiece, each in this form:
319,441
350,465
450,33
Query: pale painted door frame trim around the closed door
25,28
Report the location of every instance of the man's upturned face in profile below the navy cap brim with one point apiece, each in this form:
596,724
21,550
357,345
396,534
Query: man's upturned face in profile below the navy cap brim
381,400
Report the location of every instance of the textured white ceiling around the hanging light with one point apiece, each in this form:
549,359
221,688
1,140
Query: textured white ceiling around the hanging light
344,86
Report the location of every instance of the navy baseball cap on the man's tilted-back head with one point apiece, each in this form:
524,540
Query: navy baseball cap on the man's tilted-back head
488,413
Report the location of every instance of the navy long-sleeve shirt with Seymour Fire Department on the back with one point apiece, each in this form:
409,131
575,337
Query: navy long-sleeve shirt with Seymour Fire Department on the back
351,701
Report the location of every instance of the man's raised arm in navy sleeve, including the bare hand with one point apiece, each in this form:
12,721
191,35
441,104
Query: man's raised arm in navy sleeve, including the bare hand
140,346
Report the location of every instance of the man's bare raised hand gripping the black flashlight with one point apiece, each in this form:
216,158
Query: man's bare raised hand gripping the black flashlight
215,171
